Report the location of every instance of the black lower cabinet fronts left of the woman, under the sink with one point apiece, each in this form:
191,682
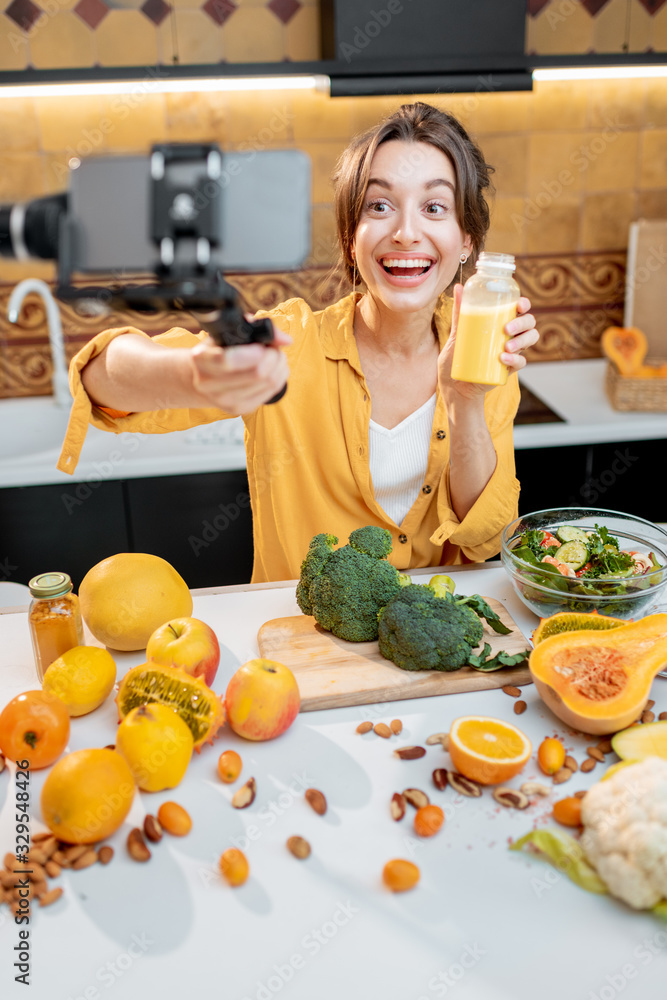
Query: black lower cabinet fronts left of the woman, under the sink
201,524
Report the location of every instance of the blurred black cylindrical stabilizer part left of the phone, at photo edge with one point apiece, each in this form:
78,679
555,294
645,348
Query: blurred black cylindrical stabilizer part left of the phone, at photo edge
30,229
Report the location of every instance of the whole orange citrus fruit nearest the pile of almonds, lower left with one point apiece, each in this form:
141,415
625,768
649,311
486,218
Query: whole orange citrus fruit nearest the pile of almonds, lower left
87,795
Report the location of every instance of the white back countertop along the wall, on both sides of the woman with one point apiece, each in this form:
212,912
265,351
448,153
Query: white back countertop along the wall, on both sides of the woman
32,430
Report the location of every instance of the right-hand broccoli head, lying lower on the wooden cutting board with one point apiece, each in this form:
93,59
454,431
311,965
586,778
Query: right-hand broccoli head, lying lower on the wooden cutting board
420,631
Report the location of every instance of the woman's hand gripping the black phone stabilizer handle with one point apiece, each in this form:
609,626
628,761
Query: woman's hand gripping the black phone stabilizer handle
240,379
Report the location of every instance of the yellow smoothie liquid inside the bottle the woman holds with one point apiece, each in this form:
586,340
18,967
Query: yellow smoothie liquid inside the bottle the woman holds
480,339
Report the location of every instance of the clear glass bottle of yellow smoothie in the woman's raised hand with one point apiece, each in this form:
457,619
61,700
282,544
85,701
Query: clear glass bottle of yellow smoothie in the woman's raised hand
489,301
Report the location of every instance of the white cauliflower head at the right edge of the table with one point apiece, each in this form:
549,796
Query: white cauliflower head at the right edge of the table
625,832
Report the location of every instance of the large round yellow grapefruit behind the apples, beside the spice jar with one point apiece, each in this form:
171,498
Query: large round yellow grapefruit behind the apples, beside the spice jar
126,597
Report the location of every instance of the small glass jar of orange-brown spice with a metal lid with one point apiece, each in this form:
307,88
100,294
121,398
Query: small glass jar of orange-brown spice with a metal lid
54,618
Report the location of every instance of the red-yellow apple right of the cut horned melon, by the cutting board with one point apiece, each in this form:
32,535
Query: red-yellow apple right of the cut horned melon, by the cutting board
262,700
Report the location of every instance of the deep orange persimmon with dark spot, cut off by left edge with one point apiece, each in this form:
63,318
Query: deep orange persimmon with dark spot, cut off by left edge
34,727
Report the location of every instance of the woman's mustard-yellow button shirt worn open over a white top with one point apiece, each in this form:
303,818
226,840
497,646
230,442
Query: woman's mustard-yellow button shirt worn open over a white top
307,455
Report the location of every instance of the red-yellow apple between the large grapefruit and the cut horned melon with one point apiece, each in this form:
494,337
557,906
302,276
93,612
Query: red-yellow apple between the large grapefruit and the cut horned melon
187,643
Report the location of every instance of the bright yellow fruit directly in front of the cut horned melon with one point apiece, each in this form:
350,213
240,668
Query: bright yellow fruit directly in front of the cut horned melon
157,745
